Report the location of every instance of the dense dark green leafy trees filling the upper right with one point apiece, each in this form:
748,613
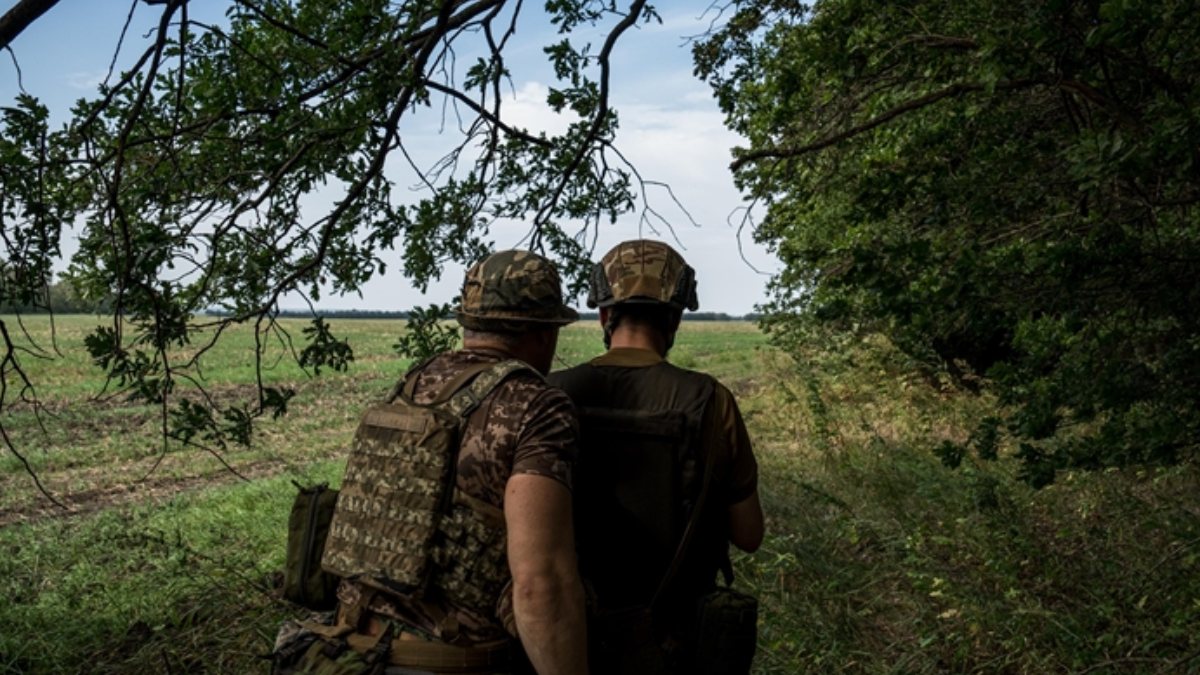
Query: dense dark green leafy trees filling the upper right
1003,188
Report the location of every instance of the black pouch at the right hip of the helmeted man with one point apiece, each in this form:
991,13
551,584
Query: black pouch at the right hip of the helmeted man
727,634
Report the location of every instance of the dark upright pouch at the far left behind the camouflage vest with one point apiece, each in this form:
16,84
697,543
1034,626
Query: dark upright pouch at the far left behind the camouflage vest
304,582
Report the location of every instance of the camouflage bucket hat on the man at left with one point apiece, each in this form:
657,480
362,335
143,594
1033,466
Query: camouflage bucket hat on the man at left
513,291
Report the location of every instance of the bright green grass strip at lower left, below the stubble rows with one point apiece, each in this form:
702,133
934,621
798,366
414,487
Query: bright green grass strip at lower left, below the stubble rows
119,589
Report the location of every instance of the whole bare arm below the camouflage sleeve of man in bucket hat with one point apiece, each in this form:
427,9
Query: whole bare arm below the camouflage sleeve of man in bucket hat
548,595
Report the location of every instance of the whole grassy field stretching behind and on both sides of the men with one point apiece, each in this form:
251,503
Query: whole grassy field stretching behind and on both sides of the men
878,559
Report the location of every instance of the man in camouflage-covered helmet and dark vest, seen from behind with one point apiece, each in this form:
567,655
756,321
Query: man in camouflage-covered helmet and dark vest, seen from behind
667,475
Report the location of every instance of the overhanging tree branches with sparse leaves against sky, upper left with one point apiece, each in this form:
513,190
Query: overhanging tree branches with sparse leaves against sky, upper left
189,175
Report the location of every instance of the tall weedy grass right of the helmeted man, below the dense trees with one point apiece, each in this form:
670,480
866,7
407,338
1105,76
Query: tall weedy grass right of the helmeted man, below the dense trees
879,559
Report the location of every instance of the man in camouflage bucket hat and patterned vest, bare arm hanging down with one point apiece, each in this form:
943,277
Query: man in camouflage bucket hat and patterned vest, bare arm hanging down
502,563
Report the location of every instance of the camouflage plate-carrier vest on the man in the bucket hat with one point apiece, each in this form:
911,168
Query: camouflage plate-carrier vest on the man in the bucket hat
401,524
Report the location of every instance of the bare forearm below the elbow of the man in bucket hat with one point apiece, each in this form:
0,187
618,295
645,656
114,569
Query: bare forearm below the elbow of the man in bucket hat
550,620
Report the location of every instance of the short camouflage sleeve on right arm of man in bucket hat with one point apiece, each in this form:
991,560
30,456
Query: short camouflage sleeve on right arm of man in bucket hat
549,440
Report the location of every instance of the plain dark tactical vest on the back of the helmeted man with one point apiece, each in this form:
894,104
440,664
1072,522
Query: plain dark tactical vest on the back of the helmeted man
638,479
